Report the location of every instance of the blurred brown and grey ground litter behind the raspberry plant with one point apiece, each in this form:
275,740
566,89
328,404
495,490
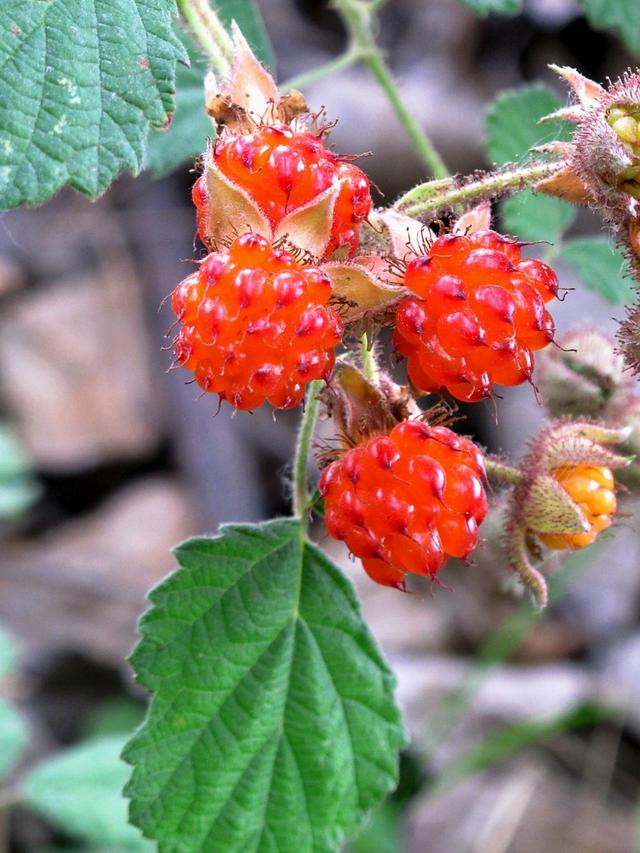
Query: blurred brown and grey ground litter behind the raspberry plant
526,732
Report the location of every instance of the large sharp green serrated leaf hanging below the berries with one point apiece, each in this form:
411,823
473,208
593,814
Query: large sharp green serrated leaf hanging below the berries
273,725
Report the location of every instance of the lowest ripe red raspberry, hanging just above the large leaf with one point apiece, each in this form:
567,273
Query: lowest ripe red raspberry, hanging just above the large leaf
405,501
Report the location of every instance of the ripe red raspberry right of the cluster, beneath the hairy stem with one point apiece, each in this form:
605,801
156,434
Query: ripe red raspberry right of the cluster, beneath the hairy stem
478,314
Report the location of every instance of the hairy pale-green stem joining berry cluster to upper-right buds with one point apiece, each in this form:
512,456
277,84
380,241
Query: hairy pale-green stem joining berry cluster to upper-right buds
424,198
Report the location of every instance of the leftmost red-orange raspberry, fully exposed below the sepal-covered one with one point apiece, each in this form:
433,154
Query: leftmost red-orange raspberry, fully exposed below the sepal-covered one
255,324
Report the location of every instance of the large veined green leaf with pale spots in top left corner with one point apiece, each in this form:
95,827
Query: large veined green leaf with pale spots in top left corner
83,81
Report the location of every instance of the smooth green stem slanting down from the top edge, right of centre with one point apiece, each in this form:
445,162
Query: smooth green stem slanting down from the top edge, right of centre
358,17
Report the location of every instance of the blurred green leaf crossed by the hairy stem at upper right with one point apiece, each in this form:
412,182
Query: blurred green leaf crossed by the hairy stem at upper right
512,129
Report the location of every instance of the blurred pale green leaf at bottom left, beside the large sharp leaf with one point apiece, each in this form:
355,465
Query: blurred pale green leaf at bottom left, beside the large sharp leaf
79,791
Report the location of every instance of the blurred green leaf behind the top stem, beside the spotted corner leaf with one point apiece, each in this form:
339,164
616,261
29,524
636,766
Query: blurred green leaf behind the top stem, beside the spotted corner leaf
186,138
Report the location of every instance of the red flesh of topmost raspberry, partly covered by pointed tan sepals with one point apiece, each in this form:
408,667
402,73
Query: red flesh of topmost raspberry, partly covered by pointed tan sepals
282,170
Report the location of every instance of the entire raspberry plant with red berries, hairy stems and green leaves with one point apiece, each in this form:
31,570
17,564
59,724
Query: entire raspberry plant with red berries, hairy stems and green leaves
272,723
